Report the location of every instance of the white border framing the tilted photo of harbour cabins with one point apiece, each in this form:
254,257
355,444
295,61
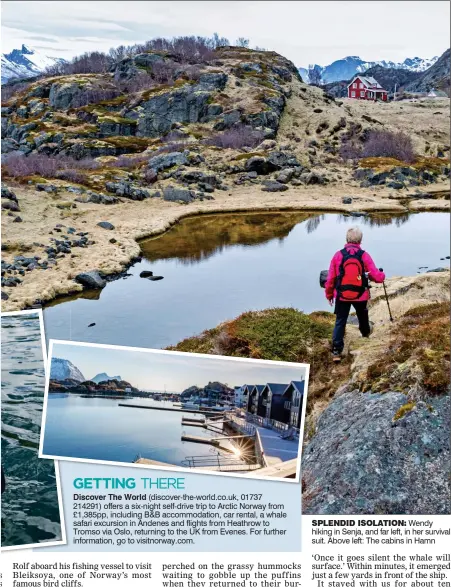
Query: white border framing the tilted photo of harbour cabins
186,470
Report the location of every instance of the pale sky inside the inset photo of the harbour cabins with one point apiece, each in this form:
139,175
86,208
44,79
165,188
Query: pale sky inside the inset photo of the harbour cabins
154,371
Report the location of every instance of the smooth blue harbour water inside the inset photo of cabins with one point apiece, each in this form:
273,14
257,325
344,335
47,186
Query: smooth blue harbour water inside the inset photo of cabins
99,429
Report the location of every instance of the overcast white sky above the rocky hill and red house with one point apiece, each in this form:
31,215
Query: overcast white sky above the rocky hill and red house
305,32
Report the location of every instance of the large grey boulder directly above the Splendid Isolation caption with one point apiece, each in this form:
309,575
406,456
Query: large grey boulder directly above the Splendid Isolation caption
368,456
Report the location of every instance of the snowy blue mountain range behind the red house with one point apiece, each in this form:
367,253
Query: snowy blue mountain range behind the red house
347,67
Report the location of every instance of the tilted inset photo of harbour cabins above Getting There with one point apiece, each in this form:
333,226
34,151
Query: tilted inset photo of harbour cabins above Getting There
201,413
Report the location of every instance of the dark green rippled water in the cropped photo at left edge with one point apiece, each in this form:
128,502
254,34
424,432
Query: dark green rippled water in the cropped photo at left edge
30,512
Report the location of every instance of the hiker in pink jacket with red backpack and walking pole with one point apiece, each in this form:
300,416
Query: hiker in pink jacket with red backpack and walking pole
347,283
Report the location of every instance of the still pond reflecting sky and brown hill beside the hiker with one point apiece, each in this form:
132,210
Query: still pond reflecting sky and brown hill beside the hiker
216,267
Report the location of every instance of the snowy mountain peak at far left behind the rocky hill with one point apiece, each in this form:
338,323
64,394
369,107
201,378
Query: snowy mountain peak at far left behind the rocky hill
25,62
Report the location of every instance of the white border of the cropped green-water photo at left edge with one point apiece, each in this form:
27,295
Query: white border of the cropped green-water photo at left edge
57,471
